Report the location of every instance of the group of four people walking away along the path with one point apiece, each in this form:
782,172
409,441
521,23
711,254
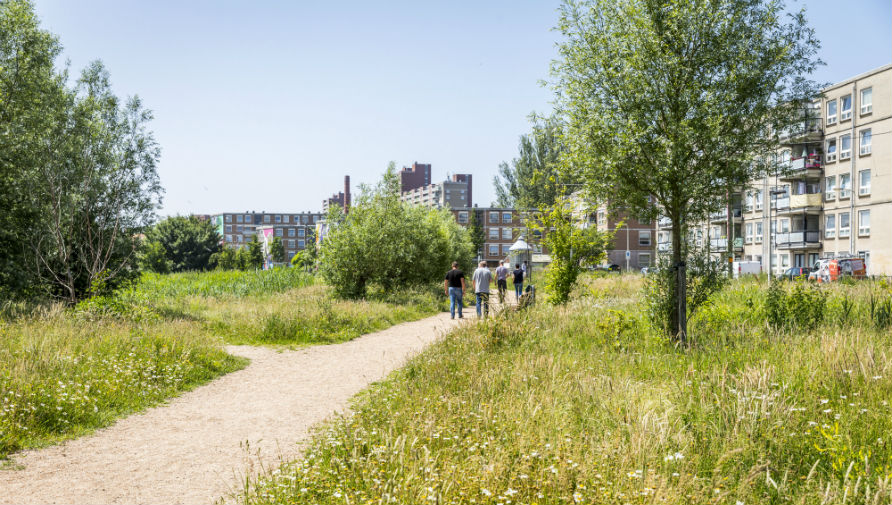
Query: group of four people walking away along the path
482,278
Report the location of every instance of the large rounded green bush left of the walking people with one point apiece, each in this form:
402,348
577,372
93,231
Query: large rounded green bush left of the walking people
387,243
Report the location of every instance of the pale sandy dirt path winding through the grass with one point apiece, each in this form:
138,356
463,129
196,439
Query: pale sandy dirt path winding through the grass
192,450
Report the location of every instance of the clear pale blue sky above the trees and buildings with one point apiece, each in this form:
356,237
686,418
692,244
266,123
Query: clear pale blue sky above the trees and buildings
266,105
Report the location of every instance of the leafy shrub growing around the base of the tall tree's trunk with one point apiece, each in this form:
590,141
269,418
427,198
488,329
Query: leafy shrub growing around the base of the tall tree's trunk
705,276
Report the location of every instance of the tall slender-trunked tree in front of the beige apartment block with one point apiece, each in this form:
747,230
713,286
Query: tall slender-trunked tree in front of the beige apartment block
669,103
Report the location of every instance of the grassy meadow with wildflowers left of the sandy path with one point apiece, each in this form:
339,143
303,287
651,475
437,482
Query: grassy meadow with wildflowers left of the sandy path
65,371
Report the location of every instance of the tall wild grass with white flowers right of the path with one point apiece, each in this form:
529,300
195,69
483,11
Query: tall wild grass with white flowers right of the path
587,404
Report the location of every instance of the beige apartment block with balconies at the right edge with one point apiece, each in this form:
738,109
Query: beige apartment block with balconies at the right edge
831,195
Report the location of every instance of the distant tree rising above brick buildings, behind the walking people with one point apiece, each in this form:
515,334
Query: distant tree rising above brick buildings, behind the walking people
532,179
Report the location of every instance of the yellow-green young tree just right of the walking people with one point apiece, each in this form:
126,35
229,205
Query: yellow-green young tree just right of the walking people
571,247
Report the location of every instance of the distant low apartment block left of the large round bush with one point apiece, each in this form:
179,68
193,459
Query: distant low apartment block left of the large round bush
295,229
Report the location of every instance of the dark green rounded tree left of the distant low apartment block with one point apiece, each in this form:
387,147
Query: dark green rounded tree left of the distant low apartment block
188,243
